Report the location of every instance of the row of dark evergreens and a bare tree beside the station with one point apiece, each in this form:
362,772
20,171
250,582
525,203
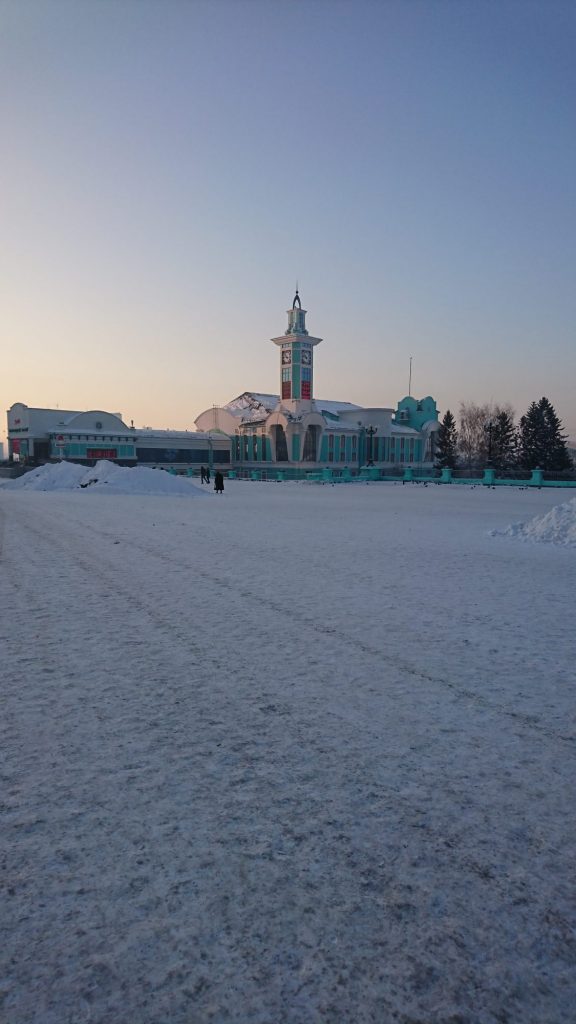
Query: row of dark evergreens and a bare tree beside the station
487,436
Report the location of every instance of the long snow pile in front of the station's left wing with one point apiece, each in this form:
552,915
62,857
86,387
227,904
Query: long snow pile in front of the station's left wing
106,476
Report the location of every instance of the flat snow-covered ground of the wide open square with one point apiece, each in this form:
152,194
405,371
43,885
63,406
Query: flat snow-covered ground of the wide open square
293,755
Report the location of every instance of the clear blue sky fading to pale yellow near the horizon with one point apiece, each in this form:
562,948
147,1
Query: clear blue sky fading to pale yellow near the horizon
170,170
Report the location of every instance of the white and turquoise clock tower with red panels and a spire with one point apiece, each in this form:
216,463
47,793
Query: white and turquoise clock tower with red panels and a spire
297,361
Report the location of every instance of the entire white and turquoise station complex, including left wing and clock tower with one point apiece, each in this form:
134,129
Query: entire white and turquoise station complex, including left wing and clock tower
292,431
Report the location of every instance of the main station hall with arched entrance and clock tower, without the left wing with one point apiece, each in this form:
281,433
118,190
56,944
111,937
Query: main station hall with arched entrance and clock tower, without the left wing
302,433
